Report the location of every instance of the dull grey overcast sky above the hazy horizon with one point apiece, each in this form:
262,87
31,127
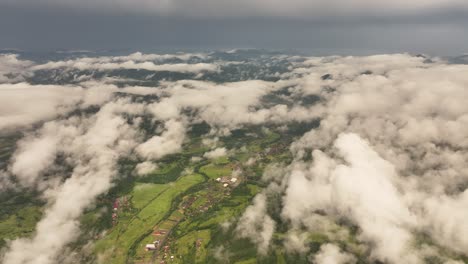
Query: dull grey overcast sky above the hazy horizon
318,26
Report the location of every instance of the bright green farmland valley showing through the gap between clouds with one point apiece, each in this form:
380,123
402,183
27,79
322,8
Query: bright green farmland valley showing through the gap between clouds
192,207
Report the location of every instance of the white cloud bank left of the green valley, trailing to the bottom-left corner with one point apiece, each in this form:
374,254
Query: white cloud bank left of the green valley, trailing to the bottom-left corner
91,144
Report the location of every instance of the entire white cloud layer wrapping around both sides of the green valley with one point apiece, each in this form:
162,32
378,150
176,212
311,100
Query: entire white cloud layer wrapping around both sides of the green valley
389,156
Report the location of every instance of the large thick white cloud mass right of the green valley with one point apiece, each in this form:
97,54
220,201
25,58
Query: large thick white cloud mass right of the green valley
388,155
